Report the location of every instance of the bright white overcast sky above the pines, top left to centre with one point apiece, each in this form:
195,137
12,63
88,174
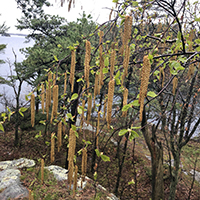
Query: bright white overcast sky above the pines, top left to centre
97,8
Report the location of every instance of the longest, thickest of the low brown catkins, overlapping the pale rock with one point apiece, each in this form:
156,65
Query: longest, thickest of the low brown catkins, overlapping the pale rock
71,153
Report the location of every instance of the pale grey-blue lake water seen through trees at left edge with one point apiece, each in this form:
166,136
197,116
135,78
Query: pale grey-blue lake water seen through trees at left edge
14,43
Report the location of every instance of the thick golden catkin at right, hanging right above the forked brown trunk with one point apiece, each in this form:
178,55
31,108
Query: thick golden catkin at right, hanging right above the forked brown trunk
146,68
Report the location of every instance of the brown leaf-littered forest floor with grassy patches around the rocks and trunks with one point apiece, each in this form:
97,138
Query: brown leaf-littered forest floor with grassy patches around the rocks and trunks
135,182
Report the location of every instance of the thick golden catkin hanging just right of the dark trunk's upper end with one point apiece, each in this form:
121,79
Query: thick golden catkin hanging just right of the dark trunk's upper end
87,62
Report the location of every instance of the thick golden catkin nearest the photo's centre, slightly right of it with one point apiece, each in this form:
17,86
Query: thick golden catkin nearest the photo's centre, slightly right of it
111,88
